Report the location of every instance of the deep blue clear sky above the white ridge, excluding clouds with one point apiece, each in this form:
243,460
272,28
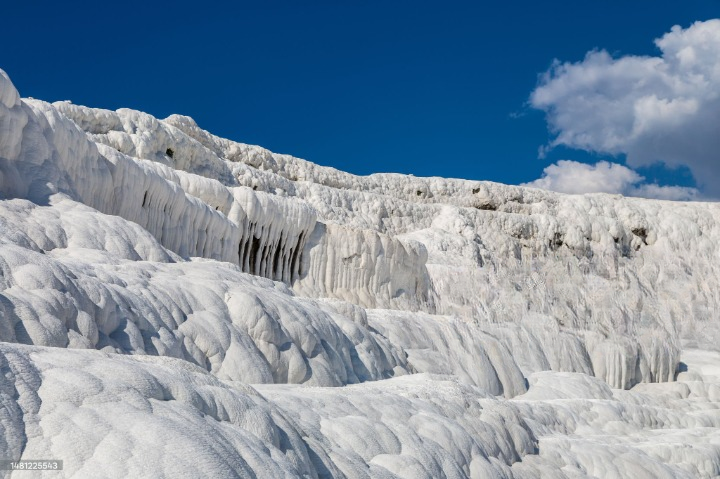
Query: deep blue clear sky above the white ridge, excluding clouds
428,88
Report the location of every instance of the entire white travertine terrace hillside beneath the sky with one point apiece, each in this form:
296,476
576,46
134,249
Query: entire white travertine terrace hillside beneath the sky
390,326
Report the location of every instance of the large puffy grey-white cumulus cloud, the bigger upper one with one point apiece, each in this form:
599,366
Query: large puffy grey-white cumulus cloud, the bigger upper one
651,108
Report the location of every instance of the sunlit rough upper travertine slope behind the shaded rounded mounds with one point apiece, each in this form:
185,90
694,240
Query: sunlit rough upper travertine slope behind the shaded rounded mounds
620,280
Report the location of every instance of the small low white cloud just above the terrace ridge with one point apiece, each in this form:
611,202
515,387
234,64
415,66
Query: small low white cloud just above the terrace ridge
573,177
